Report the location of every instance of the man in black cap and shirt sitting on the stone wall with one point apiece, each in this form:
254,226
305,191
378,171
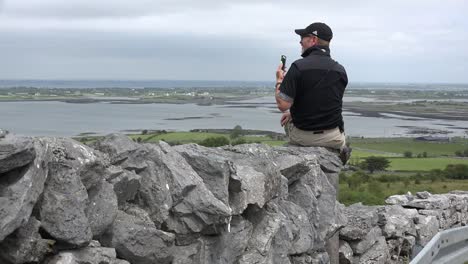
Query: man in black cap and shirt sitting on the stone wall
310,95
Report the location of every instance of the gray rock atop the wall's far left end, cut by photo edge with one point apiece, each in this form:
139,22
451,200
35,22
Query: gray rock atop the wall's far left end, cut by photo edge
16,152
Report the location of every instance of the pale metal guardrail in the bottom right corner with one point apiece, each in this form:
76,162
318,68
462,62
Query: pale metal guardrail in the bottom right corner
449,246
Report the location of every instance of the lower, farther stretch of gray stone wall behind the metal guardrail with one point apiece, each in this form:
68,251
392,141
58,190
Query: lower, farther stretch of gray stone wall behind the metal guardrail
395,233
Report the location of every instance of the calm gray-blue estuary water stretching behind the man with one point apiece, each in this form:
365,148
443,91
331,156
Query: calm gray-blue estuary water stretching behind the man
49,118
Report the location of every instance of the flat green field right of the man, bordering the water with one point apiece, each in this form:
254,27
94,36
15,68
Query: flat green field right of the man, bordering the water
400,145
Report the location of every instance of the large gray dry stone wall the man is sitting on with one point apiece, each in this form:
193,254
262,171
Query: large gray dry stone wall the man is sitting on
124,202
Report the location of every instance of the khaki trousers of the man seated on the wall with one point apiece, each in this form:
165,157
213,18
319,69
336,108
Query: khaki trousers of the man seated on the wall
331,138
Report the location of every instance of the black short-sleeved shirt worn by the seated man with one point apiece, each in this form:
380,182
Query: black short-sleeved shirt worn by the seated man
315,85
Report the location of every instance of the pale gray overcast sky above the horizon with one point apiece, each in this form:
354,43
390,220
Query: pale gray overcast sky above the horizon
376,41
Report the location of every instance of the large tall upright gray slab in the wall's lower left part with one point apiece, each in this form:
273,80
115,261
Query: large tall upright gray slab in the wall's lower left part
62,208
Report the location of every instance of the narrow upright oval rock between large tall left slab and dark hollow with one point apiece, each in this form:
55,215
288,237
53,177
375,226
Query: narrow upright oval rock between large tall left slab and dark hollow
102,208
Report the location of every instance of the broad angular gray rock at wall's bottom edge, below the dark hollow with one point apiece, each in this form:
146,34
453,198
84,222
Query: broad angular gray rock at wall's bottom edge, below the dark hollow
136,239
